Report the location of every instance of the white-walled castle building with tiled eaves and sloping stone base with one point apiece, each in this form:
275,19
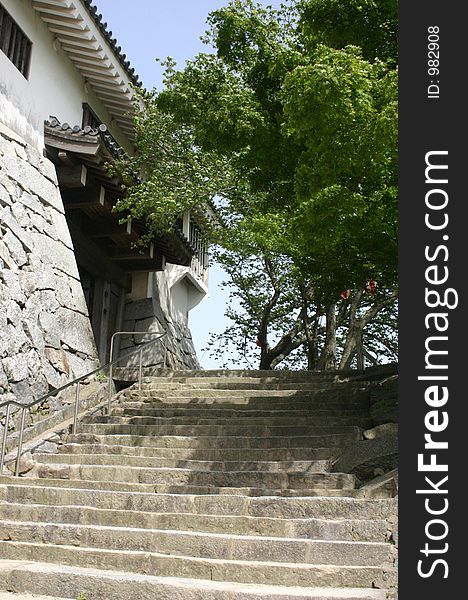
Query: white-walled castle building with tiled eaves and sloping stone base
70,275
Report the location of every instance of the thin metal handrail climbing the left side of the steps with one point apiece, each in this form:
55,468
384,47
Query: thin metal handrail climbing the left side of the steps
77,381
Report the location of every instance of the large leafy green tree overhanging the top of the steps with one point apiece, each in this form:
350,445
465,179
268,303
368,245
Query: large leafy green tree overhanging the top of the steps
291,122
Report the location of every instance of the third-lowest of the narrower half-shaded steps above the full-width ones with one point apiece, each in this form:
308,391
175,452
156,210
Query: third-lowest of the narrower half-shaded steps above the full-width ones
195,465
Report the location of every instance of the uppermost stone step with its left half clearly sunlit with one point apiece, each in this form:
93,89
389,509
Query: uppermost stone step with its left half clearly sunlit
171,441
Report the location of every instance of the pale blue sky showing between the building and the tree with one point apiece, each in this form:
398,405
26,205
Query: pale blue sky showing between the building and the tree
147,29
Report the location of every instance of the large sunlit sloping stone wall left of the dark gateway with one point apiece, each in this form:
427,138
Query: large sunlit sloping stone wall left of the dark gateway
45,333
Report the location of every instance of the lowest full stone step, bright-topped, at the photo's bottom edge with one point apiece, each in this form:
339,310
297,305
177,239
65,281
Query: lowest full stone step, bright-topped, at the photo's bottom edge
61,580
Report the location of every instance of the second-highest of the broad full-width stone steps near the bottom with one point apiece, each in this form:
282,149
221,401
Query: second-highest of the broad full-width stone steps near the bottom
308,528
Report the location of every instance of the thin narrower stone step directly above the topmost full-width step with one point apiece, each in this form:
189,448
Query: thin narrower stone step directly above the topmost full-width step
59,479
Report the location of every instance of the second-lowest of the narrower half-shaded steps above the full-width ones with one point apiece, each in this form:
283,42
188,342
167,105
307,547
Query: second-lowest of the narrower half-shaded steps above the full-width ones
187,477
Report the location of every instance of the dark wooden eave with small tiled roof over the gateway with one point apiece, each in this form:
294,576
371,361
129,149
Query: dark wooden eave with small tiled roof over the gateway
86,186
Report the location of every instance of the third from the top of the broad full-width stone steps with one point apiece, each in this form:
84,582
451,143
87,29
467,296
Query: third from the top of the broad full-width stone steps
200,544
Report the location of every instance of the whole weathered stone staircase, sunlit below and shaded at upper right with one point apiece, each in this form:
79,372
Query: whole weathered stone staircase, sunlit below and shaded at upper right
204,486
